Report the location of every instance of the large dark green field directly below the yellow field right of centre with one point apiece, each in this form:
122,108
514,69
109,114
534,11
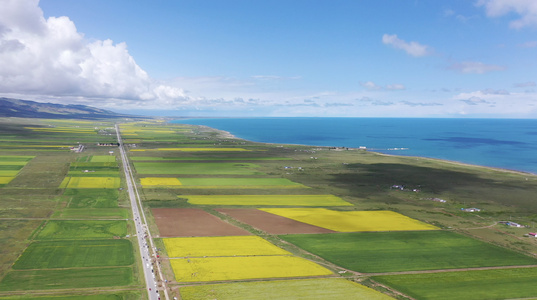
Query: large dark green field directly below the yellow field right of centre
374,252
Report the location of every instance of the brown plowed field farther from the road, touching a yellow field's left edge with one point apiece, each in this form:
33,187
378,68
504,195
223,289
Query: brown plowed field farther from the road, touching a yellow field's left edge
270,223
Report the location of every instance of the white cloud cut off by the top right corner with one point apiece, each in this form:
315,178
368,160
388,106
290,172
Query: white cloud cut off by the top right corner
526,9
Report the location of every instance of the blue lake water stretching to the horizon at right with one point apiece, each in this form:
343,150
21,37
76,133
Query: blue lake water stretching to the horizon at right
502,143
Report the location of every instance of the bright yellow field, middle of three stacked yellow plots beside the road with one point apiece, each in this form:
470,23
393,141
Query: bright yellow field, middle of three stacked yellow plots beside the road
250,267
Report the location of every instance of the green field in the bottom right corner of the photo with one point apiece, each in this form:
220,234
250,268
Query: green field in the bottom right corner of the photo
476,285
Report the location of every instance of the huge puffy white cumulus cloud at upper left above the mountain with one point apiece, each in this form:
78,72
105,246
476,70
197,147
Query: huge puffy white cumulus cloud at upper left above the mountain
50,57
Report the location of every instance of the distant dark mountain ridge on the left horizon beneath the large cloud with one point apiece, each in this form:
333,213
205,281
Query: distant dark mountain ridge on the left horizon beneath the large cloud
31,109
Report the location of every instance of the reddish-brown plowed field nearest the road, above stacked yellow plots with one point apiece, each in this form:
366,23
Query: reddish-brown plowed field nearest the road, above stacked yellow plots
185,222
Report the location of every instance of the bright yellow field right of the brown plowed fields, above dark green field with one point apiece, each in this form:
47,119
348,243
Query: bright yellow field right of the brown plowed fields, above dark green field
352,221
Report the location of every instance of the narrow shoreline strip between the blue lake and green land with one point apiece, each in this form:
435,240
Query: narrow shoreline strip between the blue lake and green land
229,135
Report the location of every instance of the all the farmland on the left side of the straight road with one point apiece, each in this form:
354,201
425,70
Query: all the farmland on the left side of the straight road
44,257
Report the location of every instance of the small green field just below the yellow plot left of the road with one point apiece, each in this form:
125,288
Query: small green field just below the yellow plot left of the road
94,198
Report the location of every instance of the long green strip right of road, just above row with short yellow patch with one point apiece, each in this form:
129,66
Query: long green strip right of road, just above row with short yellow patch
197,168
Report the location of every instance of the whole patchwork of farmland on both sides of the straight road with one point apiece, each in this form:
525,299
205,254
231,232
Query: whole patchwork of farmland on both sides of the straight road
245,214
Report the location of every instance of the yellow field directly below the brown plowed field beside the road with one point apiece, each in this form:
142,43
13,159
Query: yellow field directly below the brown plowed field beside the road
220,246
